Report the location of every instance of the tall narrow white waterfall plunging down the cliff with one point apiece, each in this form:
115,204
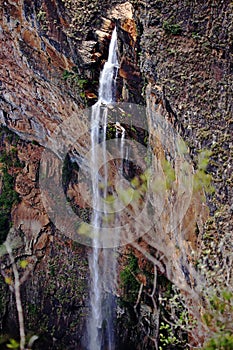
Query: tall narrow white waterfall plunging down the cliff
102,261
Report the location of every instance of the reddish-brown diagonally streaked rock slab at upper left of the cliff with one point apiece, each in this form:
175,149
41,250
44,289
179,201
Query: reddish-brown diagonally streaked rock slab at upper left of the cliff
32,104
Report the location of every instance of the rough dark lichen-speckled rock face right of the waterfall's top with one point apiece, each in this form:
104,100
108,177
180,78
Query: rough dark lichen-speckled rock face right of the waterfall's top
186,51
